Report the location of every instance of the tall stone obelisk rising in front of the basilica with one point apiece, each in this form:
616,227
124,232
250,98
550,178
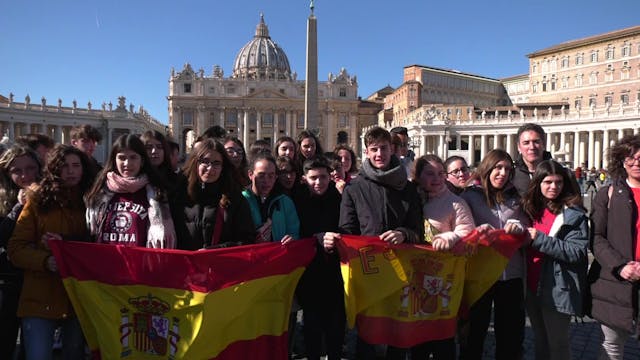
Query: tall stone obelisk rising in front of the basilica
311,85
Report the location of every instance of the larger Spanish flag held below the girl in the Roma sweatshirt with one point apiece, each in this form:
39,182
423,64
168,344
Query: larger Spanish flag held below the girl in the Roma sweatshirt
138,303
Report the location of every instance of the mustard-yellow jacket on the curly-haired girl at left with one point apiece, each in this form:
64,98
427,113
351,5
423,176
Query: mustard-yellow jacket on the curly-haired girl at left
43,294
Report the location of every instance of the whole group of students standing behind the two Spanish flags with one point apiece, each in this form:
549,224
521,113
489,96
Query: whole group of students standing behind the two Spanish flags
141,198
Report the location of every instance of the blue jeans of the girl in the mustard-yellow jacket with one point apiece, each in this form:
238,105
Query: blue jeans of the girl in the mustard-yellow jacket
38,338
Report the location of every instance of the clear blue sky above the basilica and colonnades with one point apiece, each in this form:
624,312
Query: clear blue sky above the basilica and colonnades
98,50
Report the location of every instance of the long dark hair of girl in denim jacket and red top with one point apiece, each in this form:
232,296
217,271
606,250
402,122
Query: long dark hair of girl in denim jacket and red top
534,203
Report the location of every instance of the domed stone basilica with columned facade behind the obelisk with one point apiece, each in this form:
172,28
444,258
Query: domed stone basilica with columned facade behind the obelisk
261,98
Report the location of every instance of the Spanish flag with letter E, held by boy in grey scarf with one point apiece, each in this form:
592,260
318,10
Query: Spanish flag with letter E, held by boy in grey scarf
404,295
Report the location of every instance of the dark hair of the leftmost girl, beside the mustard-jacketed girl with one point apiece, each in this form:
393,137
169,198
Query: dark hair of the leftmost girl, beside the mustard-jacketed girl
8,189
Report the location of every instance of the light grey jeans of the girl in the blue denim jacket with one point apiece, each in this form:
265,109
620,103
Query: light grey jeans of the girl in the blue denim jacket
551,330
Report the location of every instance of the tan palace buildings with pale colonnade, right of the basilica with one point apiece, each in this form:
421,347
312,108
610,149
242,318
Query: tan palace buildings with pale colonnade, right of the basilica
585,94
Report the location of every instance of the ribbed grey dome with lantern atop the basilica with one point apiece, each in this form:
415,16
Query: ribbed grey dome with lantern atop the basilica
261,58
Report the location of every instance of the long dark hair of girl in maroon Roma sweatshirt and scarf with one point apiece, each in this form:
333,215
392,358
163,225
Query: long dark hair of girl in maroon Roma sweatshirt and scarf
133,143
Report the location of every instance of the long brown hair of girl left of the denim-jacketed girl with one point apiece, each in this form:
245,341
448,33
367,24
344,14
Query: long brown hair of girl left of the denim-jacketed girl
492,195
